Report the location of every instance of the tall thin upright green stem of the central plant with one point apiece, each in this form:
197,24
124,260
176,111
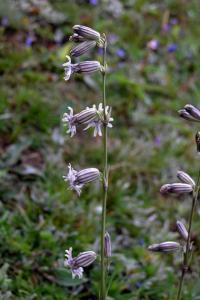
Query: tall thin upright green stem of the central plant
105,180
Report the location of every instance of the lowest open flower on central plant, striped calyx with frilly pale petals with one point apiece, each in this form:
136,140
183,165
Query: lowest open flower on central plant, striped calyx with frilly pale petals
77,263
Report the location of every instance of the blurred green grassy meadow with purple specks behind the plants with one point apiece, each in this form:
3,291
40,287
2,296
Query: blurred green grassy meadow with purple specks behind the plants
154,64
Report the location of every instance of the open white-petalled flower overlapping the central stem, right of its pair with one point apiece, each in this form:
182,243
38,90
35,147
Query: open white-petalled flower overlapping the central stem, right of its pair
99,122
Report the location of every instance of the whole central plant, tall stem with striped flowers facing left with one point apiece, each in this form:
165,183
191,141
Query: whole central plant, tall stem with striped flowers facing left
99,118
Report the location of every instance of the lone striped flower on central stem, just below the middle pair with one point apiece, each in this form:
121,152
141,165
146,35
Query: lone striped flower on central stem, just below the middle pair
77,179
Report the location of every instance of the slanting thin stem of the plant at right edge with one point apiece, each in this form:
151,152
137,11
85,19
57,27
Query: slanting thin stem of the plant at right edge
188,244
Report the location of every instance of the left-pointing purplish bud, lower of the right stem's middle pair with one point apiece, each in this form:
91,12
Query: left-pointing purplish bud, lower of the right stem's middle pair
176,188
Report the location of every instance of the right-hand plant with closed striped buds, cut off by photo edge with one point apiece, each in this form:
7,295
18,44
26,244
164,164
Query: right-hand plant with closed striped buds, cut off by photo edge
186,186
